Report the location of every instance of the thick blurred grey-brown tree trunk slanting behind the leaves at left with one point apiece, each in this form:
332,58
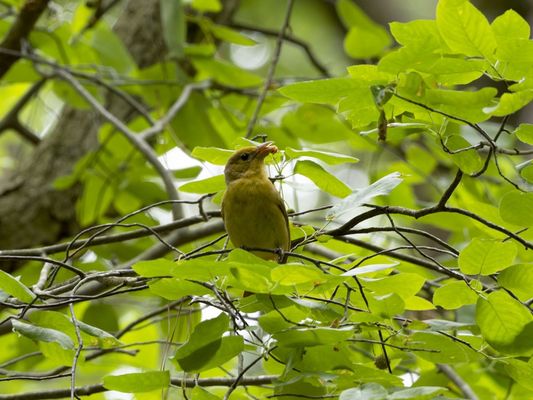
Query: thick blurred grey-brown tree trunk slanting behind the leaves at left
32,212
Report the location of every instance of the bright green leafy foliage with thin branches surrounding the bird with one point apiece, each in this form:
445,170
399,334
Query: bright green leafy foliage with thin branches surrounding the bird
409,179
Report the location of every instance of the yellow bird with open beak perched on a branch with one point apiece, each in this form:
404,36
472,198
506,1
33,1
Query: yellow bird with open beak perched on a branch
254,213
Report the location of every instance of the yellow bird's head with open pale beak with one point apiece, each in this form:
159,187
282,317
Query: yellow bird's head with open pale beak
248,162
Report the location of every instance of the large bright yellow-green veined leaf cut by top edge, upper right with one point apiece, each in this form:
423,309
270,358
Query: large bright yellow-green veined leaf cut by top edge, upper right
465,29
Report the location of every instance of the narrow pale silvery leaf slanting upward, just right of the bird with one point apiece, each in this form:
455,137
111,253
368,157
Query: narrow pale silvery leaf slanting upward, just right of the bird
359,197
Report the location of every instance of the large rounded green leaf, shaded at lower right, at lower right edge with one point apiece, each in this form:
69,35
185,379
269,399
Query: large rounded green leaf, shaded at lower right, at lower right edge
505,324
